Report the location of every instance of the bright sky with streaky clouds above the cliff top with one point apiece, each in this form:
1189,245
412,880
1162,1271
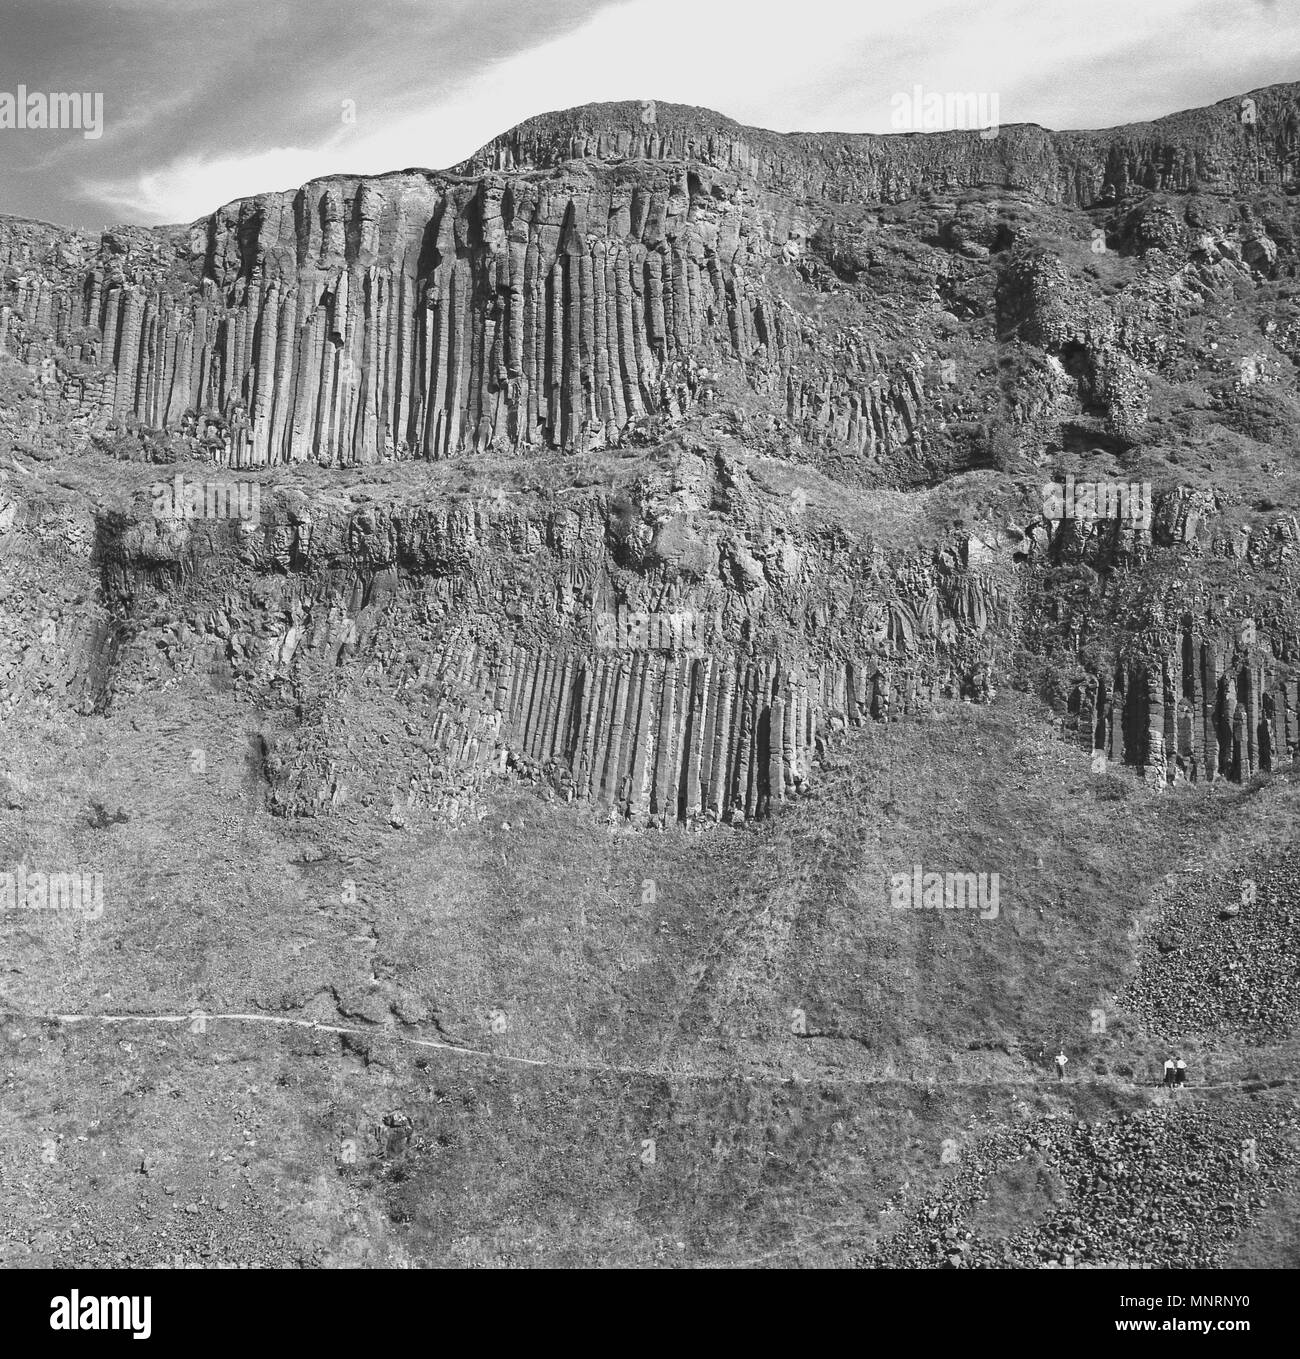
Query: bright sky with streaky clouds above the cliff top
204,104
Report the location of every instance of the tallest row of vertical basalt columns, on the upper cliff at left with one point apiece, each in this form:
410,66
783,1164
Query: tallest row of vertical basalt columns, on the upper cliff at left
411,317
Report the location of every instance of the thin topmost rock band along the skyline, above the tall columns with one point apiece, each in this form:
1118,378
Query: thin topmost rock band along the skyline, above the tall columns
1231,147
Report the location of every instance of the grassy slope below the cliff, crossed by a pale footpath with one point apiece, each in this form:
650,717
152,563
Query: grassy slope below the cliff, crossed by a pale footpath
666,1020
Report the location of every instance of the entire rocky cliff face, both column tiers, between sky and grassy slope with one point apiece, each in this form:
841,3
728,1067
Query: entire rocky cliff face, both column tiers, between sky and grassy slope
828,378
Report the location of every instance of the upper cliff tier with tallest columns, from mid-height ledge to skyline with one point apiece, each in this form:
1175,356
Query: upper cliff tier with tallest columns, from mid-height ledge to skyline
601,267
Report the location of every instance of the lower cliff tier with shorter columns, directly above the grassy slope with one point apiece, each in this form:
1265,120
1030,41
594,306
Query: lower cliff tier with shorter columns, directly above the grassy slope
681,646
